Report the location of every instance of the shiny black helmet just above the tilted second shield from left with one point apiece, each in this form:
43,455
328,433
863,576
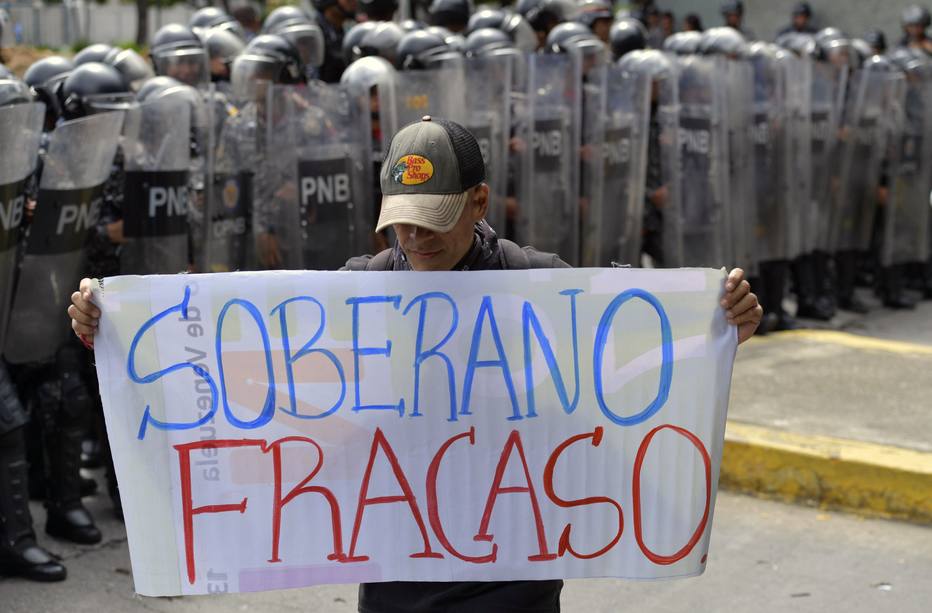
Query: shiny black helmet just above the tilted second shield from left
93,87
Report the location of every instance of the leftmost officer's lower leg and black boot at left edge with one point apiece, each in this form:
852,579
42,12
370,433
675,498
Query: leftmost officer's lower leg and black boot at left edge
20,555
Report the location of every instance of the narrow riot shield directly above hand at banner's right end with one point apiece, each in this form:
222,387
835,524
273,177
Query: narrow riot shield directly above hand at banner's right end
737,76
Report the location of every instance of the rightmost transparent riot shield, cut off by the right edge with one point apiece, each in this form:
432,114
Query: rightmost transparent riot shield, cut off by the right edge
907,225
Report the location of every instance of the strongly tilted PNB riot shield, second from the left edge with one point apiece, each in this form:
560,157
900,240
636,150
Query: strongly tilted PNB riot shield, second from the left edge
79,159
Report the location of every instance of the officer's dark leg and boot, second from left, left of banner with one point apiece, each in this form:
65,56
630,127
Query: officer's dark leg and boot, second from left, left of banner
63,402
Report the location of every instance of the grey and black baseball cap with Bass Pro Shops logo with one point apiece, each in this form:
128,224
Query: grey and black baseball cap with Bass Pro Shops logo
430,167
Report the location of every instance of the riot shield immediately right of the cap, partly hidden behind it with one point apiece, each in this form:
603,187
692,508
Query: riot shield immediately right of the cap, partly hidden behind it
488,81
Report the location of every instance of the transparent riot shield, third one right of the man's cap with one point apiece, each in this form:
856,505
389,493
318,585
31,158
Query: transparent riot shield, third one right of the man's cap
616,116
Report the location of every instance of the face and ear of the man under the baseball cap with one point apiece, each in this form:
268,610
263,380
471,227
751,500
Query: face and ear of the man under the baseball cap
427,250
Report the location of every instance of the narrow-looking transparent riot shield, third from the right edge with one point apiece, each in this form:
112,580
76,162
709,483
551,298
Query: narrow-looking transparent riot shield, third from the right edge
826,101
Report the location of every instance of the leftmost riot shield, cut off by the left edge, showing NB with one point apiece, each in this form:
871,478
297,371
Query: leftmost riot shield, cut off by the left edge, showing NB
20,131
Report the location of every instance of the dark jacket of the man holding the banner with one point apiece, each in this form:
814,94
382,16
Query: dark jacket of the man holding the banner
488,252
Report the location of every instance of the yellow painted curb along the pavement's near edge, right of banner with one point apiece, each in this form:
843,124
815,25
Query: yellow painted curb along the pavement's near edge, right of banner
864,478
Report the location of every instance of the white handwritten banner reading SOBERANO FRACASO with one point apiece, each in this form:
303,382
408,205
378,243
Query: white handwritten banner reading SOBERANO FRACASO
284,429
